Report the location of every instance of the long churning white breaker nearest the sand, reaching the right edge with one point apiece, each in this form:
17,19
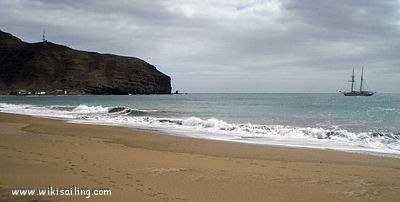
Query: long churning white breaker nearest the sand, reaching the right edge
298,136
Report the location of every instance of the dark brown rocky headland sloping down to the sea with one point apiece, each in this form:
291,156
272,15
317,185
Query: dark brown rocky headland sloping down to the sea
46,66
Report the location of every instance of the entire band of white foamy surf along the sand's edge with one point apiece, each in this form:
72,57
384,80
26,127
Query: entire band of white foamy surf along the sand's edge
368,142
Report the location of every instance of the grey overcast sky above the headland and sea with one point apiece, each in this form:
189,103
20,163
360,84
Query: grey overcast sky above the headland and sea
229,45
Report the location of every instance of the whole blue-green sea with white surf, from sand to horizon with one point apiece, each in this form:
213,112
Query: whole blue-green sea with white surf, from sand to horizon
327,121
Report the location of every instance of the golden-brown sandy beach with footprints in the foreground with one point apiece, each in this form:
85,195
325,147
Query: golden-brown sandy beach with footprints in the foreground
147,166
